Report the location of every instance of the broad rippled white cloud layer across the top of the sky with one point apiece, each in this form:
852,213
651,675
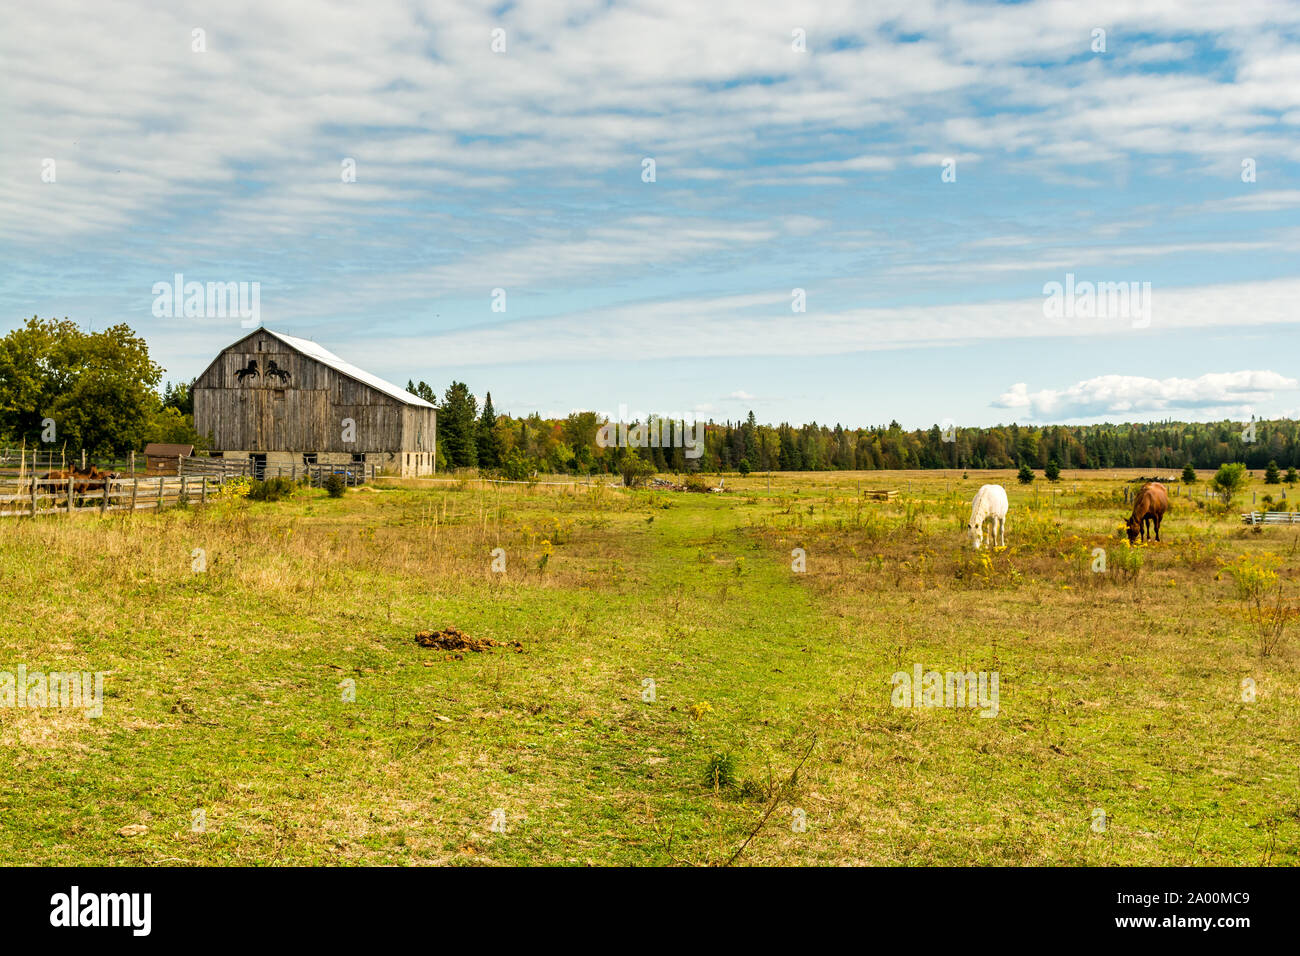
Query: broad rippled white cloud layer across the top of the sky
414,93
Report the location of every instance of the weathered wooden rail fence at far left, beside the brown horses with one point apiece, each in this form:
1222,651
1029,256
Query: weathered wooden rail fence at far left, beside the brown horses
33,498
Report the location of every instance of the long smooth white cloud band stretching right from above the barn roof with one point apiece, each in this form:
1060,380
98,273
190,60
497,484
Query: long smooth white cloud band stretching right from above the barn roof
762,325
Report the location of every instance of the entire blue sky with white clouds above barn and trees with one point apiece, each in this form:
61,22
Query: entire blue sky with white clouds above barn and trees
857,211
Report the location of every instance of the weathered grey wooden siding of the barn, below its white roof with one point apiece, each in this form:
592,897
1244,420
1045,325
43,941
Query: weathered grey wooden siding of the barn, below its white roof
304,416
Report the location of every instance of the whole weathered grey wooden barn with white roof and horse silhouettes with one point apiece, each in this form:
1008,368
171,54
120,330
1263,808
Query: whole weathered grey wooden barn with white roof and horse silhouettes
287,401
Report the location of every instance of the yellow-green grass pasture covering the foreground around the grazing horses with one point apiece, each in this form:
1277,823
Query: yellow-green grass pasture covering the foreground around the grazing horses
1121,691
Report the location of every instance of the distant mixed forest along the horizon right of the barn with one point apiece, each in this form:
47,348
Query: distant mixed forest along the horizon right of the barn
474,438
